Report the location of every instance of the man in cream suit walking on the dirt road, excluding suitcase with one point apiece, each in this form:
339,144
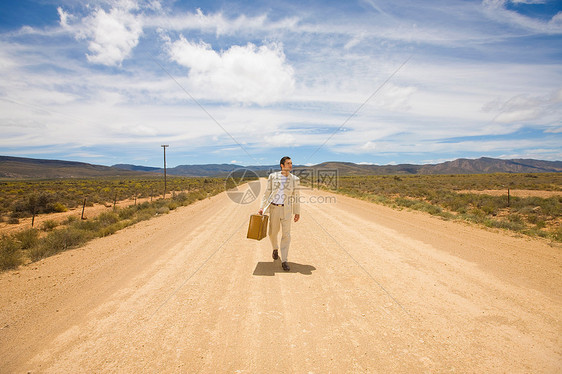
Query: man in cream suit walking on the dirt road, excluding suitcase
282,198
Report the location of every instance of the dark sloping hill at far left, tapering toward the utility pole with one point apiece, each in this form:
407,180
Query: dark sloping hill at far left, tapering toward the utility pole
23,168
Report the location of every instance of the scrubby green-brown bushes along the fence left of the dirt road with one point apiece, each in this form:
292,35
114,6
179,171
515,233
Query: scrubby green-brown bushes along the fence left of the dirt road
32,245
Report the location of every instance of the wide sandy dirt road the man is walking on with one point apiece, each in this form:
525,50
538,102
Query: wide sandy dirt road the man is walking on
370,290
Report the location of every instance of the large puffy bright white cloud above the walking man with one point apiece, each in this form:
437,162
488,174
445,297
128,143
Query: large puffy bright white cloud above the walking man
244,74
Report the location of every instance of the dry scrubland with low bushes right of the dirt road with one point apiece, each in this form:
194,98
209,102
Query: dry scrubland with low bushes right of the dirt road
457,197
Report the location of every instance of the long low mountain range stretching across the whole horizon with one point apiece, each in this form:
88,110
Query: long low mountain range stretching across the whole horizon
24,168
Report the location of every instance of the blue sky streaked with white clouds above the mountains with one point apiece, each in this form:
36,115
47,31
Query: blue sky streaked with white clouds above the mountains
247,82
